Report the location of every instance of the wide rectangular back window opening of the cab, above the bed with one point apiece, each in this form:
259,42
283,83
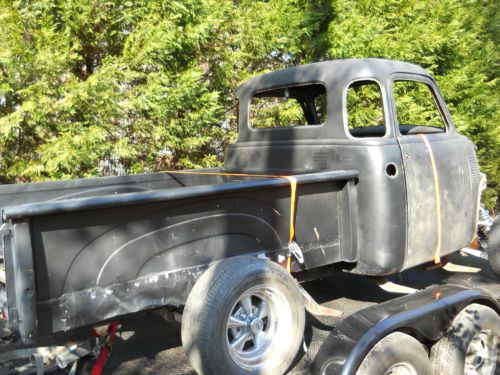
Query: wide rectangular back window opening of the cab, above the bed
291,106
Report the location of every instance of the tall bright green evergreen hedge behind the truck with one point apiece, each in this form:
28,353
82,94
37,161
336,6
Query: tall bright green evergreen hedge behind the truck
93,87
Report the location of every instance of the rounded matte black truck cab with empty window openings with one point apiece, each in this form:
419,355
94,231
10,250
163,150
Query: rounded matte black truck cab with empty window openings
389,121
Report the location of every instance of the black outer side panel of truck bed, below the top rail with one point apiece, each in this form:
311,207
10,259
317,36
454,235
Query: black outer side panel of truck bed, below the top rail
97,264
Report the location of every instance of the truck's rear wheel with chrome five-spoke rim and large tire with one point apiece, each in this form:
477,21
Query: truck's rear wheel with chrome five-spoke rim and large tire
224,290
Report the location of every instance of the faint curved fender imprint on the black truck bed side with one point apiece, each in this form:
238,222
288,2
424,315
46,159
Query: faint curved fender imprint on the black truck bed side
198,241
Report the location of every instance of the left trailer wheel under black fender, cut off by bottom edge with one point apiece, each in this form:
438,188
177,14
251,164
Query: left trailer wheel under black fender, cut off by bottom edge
394,352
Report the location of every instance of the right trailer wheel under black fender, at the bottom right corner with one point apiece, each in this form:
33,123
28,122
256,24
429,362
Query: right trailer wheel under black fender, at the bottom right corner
477,325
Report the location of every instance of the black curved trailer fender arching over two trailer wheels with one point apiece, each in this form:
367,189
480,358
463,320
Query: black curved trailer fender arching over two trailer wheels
425,314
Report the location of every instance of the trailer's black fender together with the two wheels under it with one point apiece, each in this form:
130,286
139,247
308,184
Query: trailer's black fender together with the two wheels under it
444,329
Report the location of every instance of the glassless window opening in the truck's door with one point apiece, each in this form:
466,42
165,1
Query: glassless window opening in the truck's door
417,109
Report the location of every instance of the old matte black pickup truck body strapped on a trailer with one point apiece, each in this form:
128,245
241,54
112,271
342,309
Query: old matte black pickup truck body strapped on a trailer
352,163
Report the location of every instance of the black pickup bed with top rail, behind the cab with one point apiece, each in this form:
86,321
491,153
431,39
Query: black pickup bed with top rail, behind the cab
83,251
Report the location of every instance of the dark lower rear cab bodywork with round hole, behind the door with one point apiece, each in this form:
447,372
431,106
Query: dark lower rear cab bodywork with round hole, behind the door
379,239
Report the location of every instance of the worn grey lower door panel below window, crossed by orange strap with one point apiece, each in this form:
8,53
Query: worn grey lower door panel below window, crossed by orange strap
457,197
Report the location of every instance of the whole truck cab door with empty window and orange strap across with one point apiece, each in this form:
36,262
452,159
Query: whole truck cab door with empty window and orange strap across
436,163
